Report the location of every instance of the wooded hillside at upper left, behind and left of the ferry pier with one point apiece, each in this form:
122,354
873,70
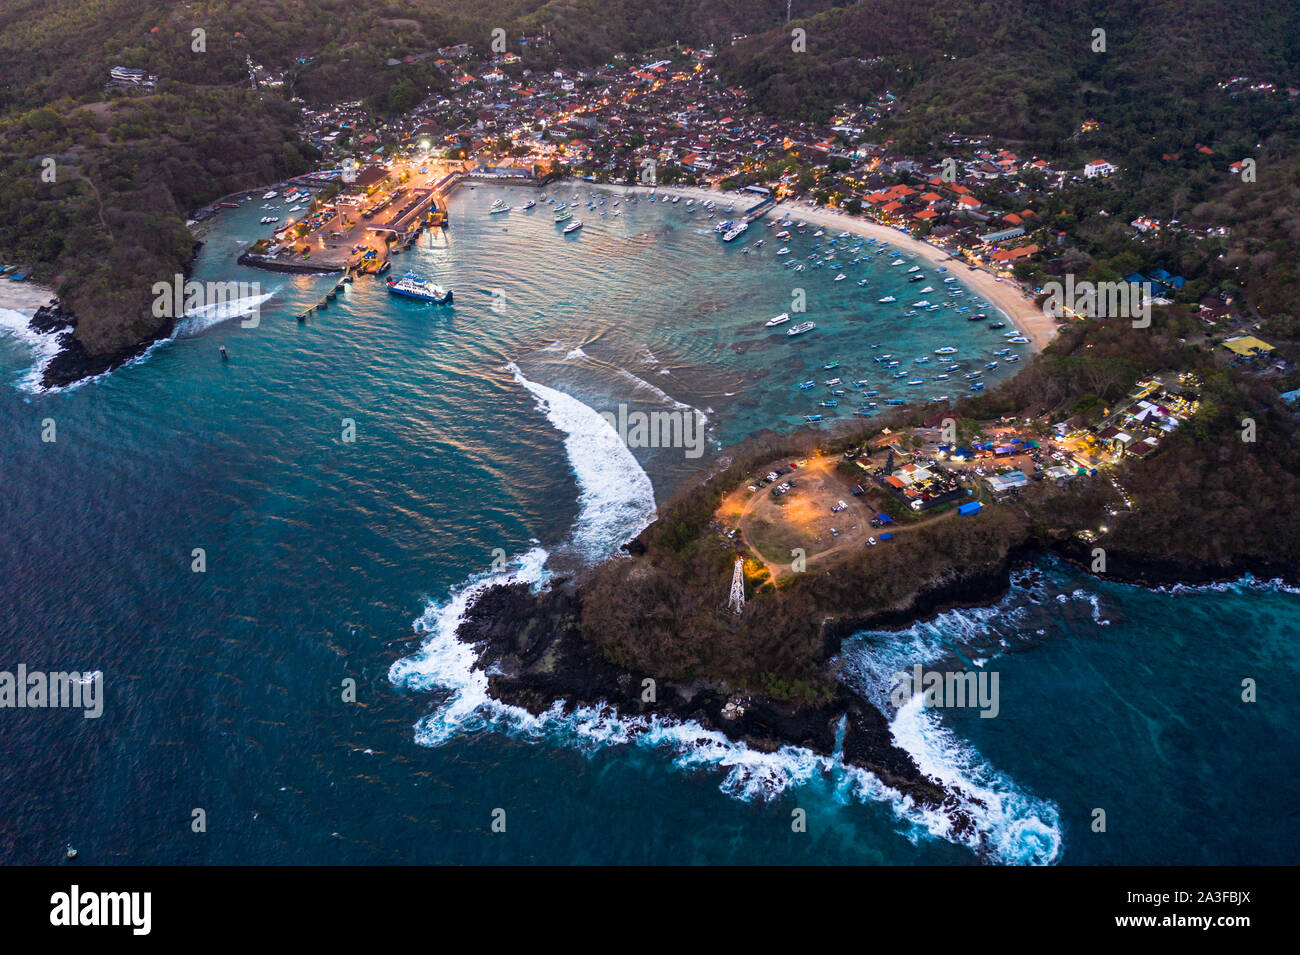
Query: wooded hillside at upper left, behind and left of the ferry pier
129,164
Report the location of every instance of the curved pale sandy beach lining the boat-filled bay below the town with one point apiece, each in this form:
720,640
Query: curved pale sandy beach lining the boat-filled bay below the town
1006,296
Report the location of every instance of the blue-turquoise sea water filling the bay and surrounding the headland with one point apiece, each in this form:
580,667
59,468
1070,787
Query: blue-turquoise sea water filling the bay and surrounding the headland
480,454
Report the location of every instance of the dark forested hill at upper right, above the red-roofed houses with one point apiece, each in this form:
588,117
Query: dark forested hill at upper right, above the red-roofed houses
1025,70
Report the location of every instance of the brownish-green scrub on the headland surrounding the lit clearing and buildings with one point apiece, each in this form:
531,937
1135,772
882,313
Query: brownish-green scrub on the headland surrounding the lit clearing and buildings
1207,503
